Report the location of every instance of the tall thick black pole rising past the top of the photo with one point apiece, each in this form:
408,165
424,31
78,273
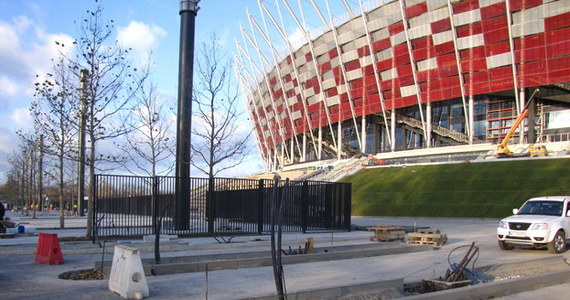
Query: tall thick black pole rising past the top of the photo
188,11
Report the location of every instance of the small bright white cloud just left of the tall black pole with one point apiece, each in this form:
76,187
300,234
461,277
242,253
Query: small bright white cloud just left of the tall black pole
140,37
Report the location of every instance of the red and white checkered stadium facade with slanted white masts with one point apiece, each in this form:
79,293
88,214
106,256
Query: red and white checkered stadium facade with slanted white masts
397,75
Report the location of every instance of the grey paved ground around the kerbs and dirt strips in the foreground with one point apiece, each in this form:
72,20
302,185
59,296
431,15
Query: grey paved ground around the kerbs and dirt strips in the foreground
22,278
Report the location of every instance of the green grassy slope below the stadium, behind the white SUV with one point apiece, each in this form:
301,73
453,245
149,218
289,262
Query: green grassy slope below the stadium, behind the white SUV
488,189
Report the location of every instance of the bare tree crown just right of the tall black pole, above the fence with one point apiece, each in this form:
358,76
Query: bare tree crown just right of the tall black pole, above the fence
217,143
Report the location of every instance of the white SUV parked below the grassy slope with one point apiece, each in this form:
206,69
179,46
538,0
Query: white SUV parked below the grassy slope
540,222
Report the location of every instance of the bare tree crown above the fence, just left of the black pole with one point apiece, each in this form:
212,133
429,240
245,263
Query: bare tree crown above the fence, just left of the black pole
149,146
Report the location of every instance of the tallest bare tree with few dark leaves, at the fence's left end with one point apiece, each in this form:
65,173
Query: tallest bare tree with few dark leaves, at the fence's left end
109,88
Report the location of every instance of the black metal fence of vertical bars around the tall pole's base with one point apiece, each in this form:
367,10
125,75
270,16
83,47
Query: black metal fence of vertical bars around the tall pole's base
137,206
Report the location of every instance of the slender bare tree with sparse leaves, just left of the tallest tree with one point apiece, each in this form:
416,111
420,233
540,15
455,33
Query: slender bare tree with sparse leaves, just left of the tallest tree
54,112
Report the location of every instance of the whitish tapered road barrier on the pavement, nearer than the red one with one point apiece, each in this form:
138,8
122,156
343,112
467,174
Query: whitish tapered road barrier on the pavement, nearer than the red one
127,276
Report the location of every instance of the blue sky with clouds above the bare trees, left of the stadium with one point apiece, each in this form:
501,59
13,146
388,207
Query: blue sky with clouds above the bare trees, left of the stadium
29,28
